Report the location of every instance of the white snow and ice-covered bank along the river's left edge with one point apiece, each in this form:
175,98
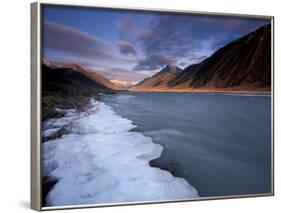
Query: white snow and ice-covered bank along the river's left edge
101,161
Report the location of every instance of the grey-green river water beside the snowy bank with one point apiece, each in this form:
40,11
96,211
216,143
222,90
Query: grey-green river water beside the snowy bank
220,143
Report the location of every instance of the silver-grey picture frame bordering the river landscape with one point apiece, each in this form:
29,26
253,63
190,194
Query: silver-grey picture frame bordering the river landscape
36,103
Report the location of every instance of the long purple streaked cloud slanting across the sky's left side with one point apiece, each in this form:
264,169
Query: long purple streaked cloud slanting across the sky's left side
75,43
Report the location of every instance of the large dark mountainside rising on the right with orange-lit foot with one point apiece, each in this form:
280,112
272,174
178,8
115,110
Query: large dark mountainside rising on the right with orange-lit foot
243,64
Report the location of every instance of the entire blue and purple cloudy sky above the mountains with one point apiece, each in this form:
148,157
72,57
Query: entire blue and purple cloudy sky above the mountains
132,45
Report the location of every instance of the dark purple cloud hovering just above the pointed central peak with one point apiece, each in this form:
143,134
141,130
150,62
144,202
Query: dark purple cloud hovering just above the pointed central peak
155,61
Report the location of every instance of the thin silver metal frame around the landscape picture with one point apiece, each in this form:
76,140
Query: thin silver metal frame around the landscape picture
36,175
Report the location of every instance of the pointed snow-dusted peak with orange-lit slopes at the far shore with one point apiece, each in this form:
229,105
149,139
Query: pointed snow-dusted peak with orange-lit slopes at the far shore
160,79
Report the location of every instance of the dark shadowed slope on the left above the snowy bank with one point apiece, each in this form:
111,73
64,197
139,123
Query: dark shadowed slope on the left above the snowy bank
65,87
